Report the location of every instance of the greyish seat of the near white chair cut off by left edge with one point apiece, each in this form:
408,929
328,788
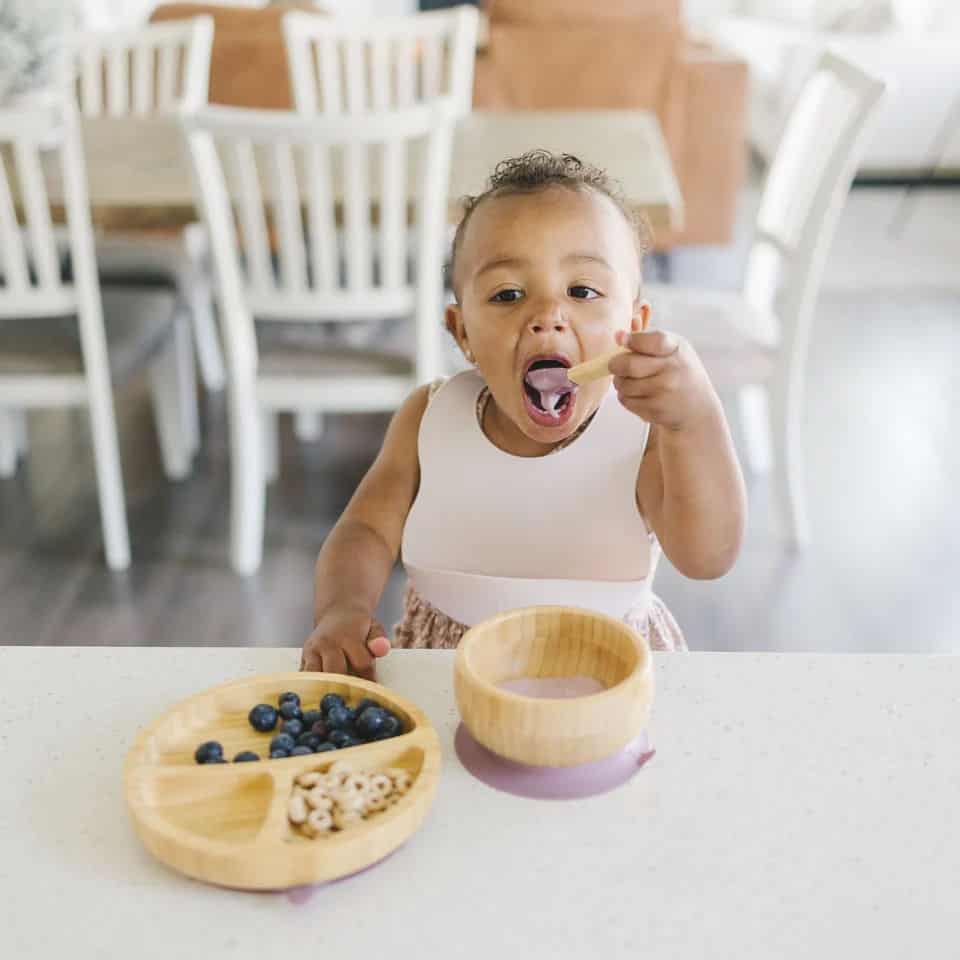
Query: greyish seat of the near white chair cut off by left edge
137,323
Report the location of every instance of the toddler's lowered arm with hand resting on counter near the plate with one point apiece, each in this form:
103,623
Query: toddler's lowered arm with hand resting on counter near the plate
358,556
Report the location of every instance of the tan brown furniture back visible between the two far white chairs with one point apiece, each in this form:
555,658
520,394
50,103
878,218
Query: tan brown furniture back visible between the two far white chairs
248,66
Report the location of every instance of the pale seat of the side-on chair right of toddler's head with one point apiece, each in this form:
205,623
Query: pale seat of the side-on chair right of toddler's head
736,341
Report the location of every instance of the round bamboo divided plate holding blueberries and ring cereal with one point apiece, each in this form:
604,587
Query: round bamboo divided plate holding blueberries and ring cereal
227,823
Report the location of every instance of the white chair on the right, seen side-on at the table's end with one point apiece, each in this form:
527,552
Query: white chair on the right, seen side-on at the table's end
754,343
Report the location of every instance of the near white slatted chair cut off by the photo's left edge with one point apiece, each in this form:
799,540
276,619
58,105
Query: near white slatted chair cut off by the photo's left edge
55,347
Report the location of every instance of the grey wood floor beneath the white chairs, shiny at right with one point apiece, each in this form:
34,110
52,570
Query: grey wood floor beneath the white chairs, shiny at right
883,448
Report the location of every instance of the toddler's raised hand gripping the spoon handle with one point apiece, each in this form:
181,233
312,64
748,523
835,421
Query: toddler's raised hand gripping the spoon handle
662,379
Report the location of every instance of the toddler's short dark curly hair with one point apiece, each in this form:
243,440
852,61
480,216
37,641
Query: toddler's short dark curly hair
538,170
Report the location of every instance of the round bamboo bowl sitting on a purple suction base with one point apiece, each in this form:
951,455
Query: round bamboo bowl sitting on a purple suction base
542,642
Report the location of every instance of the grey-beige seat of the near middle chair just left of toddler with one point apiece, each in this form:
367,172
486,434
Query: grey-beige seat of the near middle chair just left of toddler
312,350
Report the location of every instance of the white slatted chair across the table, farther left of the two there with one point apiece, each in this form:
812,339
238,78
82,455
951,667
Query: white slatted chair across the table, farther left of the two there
154,70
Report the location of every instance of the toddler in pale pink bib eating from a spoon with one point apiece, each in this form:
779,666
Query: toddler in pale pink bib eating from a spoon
506,486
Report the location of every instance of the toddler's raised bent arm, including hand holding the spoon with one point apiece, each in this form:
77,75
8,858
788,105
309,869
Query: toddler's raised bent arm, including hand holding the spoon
689,487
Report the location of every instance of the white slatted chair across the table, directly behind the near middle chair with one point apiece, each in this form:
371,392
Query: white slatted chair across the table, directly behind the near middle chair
348,65
